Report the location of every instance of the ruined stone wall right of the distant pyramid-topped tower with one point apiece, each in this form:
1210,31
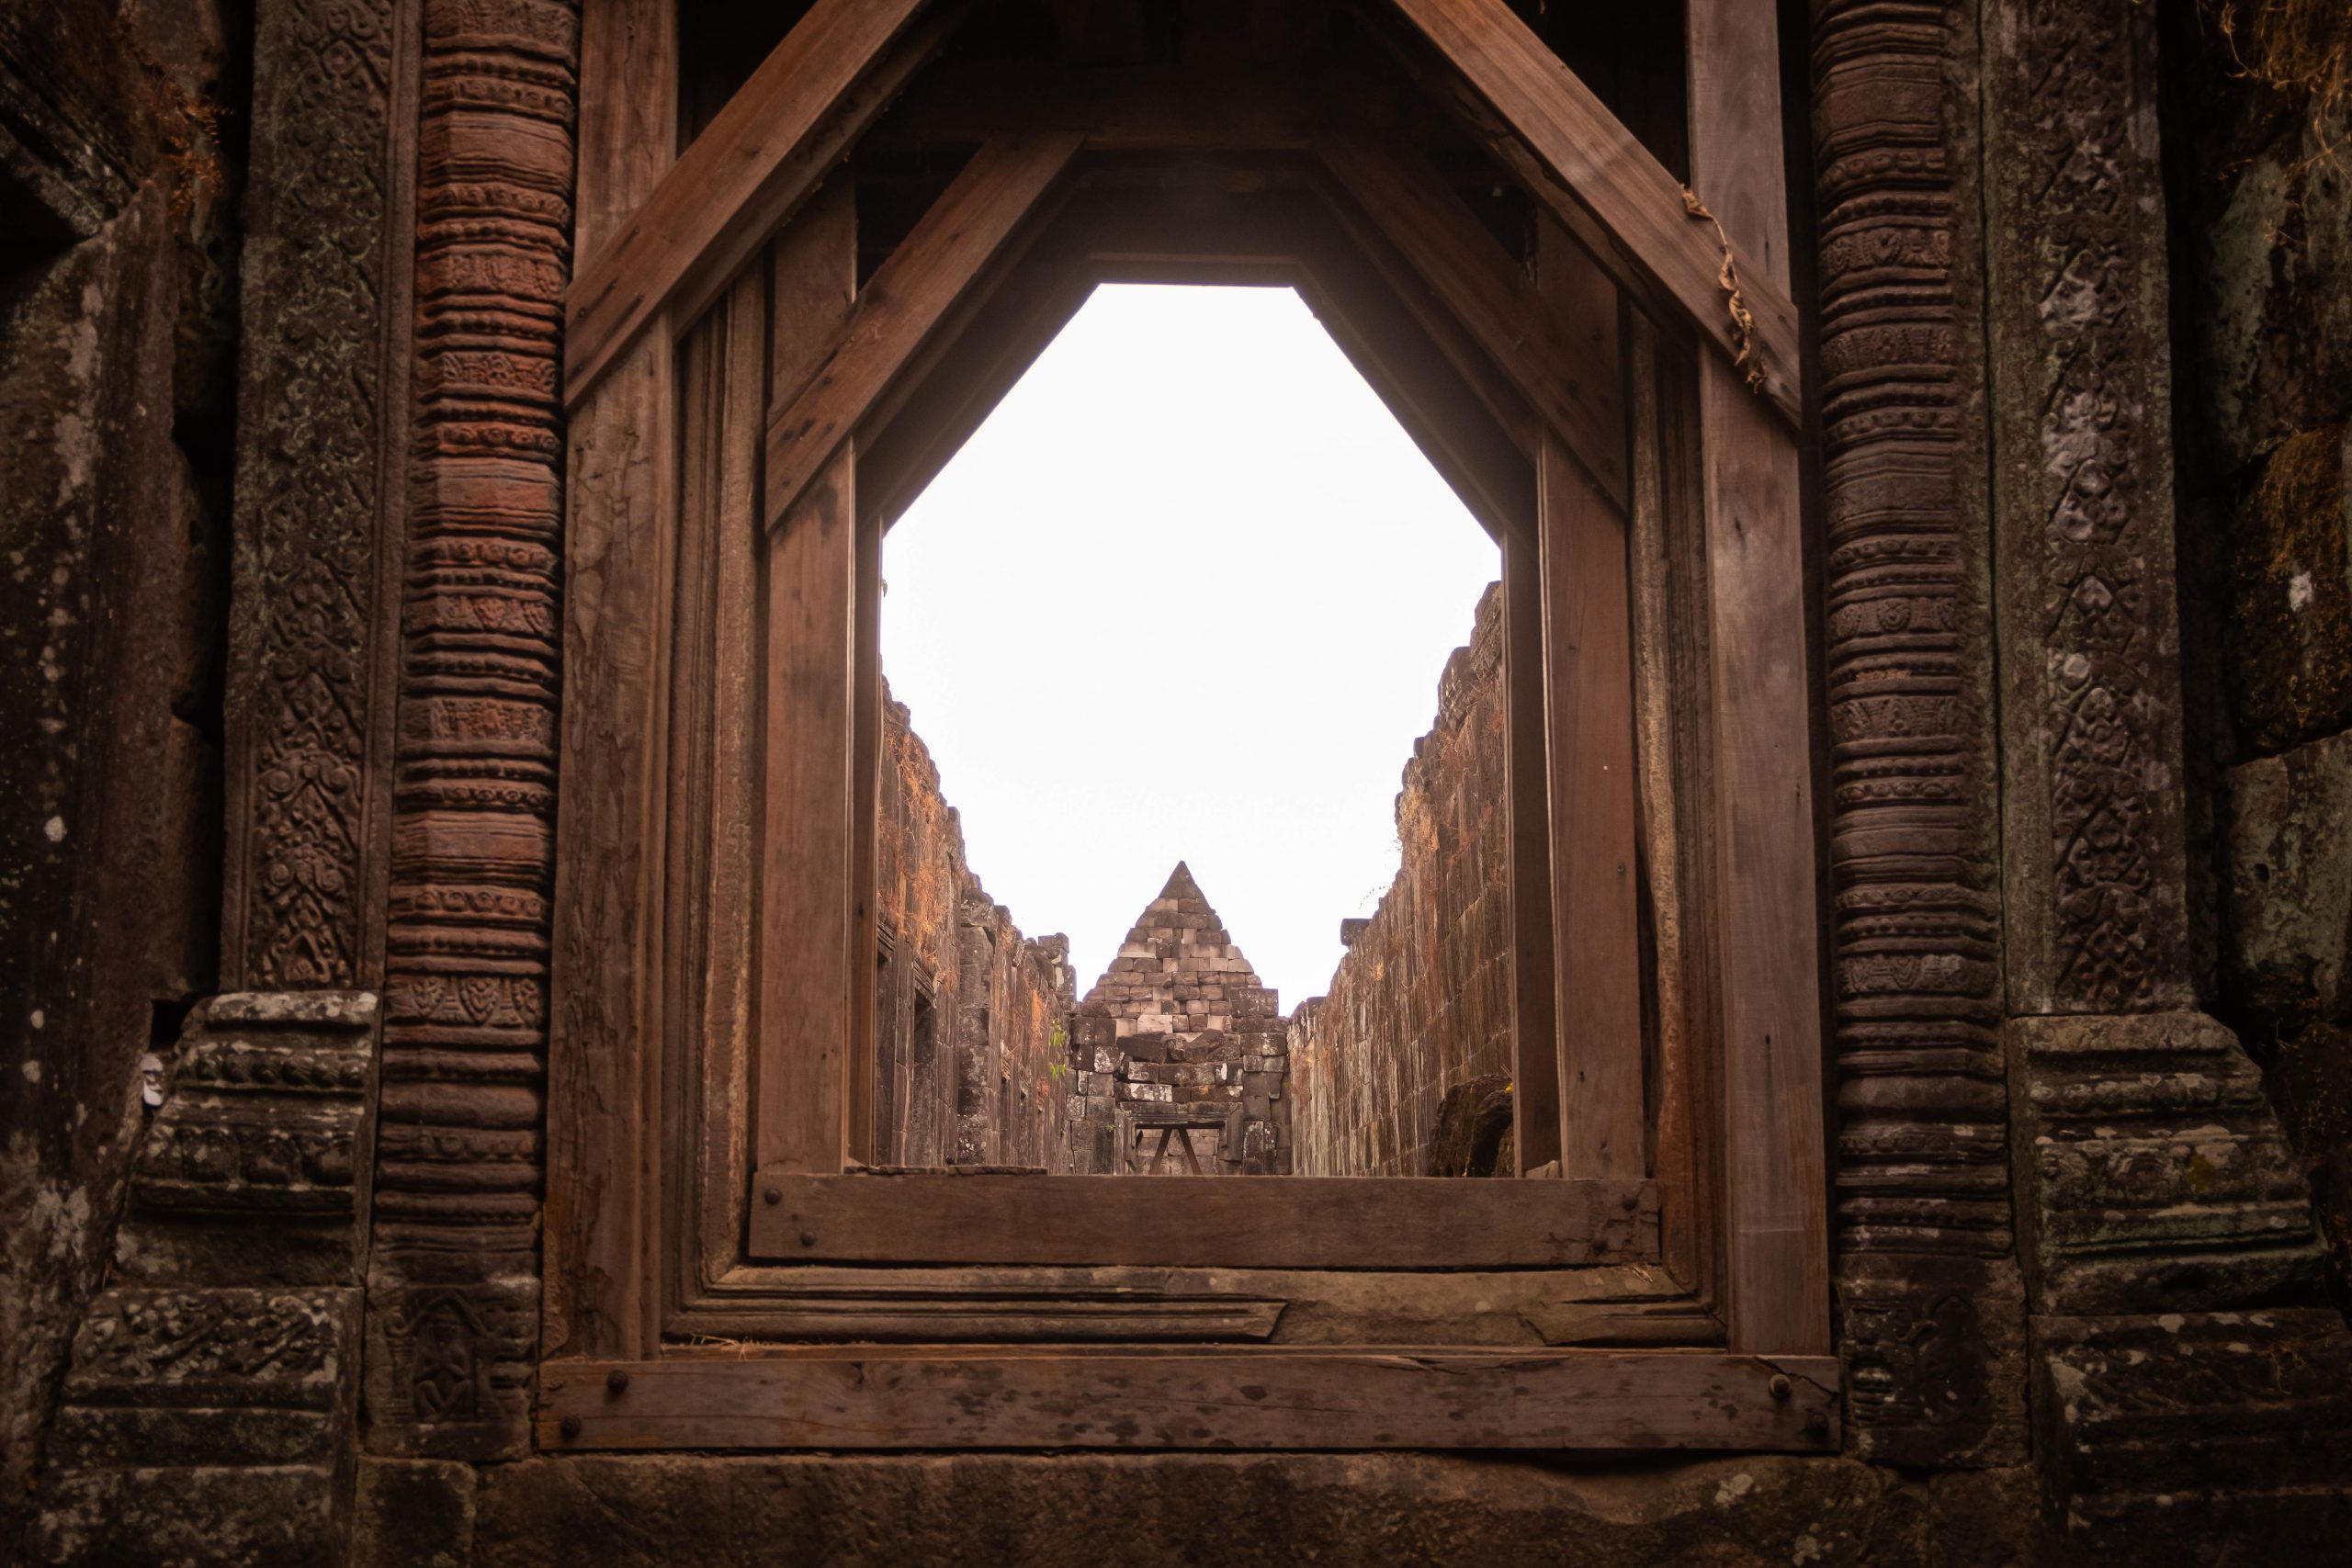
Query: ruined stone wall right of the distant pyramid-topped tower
1422,1000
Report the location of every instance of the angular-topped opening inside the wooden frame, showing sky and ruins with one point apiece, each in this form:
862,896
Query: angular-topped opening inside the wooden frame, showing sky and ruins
1189,596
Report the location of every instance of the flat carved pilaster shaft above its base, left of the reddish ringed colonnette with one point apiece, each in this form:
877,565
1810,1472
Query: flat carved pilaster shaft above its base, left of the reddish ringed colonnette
321,406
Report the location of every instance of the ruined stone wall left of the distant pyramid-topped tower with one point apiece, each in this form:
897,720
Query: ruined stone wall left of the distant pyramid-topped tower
970,1017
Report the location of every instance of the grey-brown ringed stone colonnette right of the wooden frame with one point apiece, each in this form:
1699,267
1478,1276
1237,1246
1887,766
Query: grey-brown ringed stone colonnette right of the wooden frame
1932,1311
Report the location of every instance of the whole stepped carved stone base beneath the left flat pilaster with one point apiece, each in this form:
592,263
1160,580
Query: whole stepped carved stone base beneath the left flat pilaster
211,1412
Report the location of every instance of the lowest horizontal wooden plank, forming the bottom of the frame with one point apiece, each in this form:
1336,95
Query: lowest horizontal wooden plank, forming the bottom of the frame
1184,1398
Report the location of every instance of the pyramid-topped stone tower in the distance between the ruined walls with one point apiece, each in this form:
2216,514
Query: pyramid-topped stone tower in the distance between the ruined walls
1184,1052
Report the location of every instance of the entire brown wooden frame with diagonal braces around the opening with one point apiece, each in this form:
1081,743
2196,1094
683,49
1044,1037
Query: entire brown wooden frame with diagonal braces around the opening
721,570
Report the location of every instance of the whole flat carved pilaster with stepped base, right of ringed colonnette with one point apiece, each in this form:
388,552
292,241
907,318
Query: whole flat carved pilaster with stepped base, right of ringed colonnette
2167,1240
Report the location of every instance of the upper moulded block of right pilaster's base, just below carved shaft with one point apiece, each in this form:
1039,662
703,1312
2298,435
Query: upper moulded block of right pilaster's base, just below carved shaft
2151,1170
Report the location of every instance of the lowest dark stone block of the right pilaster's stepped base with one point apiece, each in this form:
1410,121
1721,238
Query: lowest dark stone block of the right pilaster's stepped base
2165,1438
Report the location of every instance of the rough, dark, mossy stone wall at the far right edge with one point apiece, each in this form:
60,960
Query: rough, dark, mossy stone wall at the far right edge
2264,213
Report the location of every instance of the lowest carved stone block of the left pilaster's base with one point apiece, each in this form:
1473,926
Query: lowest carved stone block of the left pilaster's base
206,1428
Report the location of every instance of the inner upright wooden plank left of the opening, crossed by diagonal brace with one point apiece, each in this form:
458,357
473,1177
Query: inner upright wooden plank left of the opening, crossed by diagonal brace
808,859
